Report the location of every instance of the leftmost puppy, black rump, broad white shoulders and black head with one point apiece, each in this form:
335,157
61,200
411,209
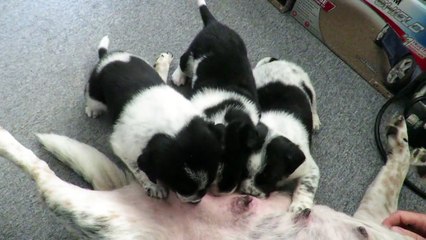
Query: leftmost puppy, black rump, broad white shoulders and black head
158,133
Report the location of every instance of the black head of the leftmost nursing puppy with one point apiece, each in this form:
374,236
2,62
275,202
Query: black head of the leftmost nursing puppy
186,163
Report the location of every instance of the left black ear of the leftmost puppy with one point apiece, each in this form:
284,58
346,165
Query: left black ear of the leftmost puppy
151,157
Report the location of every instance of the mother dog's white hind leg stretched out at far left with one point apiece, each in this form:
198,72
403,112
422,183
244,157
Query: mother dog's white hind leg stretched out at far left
87,211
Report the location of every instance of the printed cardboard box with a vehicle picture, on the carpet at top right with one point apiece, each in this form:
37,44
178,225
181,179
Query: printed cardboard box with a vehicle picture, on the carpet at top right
351,29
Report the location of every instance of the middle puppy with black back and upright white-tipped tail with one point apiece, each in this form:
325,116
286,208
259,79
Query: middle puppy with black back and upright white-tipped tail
223,88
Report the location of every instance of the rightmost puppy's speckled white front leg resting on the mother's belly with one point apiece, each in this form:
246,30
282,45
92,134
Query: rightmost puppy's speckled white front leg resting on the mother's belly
304,194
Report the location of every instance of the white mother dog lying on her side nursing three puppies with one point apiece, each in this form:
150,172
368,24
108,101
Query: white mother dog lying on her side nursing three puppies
126,213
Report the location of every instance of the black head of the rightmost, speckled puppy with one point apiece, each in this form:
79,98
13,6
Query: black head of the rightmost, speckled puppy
281,159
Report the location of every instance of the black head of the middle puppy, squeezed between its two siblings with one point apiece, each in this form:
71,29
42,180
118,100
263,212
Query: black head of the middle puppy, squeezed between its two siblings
242,139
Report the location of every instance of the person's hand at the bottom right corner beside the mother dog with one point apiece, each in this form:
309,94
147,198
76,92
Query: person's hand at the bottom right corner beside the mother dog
407,223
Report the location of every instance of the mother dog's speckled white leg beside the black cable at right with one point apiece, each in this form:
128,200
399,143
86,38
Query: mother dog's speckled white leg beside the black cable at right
381,198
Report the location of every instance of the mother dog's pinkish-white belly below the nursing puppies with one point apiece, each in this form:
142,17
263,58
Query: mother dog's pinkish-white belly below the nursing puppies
236,217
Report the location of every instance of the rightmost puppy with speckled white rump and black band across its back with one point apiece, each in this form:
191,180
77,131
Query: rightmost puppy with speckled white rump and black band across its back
289,110
